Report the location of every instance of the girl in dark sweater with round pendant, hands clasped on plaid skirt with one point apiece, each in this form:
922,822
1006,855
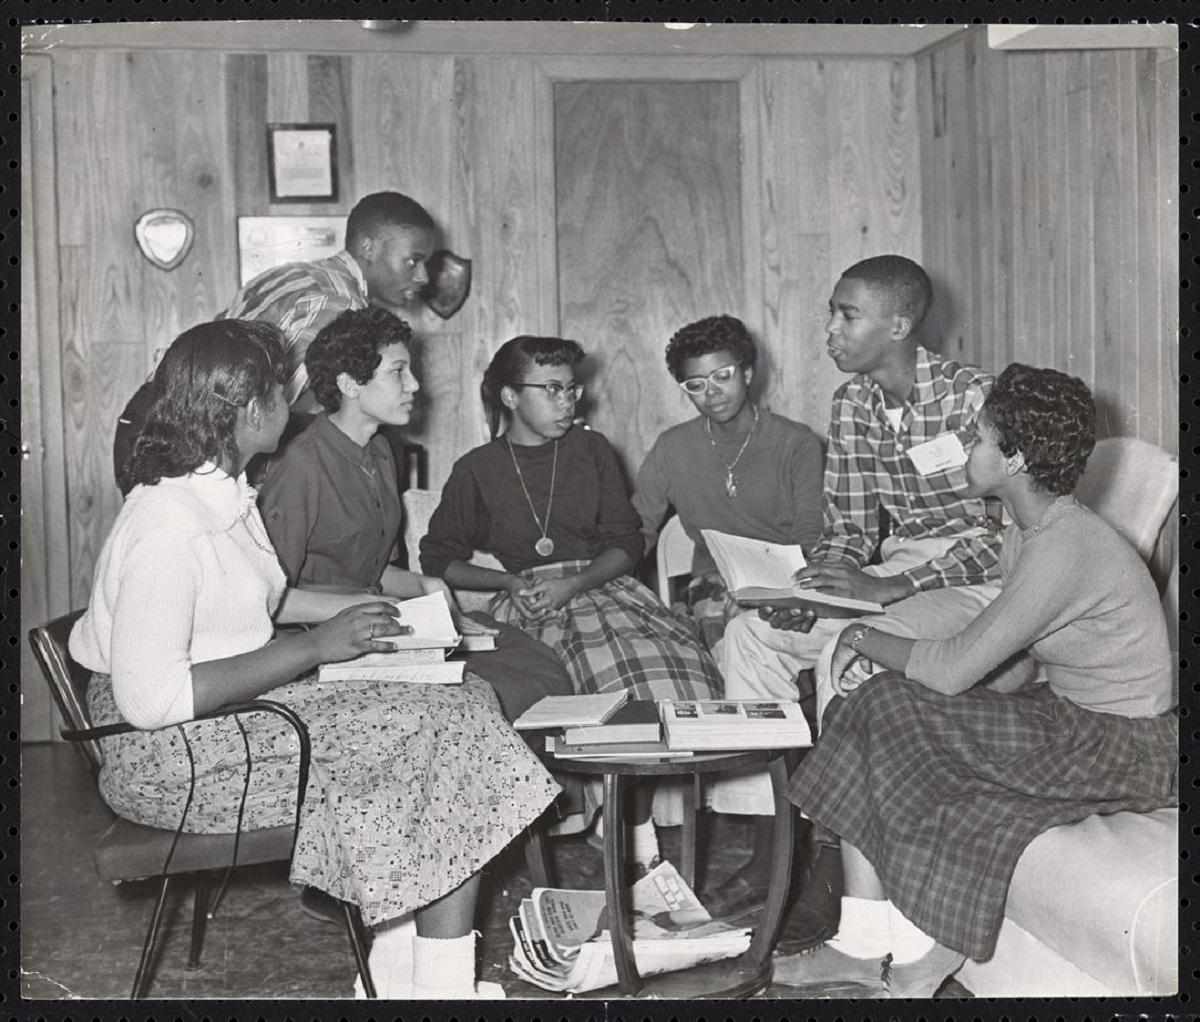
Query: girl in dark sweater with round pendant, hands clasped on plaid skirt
550,503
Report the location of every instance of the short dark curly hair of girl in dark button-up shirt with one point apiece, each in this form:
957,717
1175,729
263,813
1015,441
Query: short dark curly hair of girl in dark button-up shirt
353,344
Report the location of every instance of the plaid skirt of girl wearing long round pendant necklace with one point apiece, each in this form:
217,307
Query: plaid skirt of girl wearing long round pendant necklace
620,636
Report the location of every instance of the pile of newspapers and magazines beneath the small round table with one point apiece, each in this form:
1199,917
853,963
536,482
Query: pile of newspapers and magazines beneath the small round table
562,942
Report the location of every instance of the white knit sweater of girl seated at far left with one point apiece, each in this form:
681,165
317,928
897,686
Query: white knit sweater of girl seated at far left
188,575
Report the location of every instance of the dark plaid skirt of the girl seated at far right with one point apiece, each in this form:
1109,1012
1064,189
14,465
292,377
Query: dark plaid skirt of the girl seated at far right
944,793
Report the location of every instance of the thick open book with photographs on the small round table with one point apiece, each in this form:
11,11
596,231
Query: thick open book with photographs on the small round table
727,725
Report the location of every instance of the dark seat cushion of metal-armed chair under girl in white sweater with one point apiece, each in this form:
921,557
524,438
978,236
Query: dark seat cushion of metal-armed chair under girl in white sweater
130,852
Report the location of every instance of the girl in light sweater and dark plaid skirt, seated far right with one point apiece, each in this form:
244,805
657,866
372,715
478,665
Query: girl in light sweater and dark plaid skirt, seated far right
935,783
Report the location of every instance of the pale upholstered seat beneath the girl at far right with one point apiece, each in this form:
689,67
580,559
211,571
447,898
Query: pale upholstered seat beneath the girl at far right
1103,894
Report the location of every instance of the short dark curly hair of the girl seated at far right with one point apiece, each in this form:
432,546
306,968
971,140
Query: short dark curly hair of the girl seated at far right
1049,418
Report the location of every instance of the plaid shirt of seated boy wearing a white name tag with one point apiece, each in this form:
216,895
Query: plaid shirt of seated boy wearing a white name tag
867,467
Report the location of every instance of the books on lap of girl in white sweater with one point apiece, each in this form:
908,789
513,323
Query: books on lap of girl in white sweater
418,658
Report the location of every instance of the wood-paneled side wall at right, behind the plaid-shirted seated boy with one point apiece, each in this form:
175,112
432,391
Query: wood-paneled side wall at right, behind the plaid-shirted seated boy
1052,218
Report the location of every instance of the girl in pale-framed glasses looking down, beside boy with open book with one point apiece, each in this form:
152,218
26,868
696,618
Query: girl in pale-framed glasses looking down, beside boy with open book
736,467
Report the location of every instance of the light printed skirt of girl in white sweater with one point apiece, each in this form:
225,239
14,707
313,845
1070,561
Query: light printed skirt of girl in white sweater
412,787
